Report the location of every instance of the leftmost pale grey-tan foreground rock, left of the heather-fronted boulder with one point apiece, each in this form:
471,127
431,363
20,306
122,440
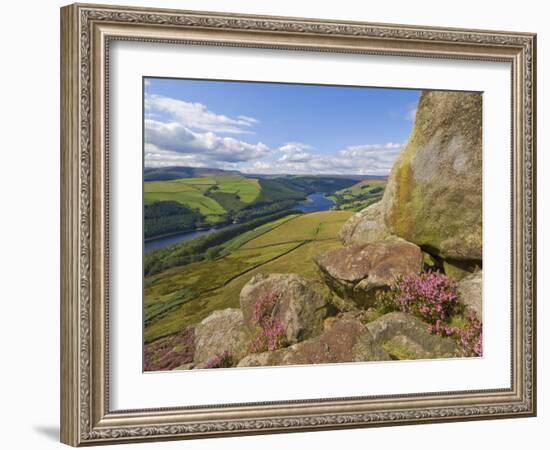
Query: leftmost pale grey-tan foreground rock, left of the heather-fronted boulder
222,331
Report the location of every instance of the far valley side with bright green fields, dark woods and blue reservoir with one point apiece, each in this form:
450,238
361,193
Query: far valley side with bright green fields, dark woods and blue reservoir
179,199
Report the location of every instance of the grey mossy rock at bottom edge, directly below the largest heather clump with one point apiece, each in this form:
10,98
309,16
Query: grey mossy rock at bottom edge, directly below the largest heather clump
402,334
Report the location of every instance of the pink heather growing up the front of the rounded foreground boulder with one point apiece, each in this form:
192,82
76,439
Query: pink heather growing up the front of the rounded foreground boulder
271,335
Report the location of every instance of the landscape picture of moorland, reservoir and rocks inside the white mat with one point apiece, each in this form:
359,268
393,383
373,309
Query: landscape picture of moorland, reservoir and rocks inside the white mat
290,224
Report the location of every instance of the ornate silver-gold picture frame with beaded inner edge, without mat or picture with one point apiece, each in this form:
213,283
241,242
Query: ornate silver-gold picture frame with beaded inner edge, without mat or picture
87,31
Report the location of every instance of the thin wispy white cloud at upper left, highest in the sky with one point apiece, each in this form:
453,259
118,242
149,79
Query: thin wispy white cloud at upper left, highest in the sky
197,116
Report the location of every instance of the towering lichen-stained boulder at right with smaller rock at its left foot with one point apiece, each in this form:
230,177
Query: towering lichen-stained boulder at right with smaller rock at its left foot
433,196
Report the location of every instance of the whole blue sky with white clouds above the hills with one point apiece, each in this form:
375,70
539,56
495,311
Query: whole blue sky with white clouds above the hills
275,128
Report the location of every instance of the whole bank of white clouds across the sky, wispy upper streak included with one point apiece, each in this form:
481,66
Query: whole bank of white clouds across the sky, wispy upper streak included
188,134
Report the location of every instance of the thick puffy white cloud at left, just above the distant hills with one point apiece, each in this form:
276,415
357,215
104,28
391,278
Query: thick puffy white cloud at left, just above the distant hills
173,139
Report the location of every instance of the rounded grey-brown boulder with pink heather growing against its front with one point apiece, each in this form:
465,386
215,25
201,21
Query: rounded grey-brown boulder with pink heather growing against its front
300,305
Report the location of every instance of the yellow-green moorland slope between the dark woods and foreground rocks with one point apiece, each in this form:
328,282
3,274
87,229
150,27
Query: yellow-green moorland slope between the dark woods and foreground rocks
182,296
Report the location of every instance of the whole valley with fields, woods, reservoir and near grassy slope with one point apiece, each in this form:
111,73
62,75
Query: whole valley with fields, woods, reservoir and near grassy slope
207,233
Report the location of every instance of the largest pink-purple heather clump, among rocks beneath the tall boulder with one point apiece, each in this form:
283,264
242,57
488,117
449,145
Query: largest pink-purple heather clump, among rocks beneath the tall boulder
431,296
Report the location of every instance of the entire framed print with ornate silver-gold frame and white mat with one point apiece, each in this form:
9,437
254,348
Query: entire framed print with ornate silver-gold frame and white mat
278,224
